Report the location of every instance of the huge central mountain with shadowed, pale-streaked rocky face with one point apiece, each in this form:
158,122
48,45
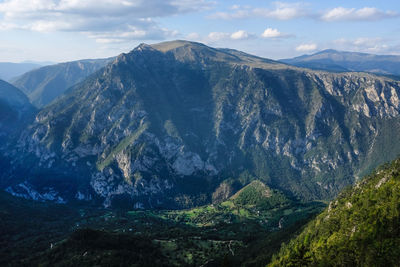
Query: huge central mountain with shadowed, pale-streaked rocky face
165,125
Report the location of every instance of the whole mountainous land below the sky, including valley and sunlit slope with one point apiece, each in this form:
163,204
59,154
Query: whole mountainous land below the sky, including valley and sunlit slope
178,153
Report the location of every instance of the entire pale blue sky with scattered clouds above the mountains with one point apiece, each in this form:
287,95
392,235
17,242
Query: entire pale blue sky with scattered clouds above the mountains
64,30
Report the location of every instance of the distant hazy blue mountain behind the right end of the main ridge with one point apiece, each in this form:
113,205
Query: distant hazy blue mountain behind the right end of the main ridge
332,60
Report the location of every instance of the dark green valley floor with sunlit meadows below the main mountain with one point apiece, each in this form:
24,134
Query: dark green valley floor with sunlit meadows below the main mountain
229,233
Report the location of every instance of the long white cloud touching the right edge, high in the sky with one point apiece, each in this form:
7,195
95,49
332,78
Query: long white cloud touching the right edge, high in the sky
353,14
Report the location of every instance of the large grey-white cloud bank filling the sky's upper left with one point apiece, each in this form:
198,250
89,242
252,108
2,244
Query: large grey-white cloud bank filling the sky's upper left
104,20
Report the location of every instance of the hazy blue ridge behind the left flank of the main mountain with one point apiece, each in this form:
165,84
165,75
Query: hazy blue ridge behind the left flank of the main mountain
45,84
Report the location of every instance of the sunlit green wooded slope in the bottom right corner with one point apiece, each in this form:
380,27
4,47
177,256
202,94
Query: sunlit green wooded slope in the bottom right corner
359,228
